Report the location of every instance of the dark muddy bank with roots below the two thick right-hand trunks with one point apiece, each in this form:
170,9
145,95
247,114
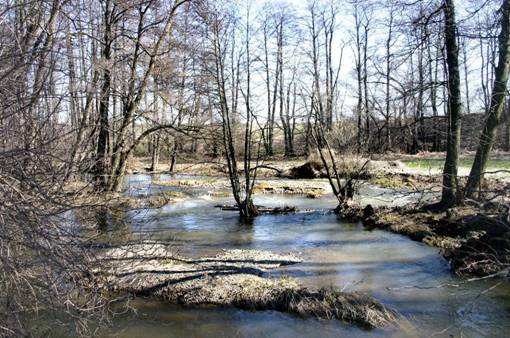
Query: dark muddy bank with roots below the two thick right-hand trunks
475,240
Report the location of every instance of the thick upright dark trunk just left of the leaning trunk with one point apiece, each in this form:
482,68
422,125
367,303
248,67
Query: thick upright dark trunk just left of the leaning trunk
450,179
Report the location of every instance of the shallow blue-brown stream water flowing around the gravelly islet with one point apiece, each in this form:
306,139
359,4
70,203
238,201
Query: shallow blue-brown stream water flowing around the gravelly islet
408,276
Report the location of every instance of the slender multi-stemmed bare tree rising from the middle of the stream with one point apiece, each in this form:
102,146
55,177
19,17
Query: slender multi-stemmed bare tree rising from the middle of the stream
225,50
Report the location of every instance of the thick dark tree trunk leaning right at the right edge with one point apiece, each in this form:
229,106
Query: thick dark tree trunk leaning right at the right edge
497,102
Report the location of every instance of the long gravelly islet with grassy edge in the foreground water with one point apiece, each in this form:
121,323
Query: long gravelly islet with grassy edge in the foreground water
234,278
